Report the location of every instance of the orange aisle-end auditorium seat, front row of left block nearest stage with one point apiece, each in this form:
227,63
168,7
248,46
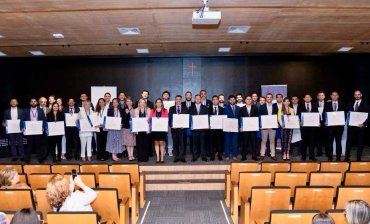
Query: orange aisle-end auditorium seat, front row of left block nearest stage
137,178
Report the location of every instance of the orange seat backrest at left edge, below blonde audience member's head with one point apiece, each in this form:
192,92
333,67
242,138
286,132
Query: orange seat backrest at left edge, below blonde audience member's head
16,199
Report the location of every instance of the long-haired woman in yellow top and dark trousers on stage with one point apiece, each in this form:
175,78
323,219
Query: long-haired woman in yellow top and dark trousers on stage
286,134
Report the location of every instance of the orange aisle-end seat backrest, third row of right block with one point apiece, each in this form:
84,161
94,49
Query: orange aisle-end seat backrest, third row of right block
266,199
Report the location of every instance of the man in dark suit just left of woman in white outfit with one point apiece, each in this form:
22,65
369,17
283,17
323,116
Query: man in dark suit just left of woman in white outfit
72,137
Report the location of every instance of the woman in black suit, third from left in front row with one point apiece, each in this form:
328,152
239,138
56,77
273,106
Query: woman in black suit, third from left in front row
55,141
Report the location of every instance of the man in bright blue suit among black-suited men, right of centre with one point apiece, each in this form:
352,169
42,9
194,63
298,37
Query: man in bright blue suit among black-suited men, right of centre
231,138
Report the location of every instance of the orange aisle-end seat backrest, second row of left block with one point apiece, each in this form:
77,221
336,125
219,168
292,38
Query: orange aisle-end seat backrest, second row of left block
120,181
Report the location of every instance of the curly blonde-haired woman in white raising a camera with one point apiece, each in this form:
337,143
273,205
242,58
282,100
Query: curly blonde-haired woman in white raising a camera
61,196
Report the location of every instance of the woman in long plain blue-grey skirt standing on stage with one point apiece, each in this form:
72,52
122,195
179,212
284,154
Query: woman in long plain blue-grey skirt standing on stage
114,140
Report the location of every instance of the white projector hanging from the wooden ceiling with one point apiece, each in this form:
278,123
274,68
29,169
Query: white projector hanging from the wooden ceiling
204,16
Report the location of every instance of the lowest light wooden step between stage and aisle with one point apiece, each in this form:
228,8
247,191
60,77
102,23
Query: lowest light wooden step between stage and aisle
187,185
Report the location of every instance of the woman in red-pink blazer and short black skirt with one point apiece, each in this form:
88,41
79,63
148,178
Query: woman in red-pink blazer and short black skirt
159,137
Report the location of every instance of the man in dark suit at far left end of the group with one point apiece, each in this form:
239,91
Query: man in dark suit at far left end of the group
15,140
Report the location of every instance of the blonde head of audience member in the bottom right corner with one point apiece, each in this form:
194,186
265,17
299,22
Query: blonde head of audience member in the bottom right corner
357,212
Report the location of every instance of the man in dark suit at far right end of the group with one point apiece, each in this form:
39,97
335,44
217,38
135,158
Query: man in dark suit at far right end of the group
357,133
